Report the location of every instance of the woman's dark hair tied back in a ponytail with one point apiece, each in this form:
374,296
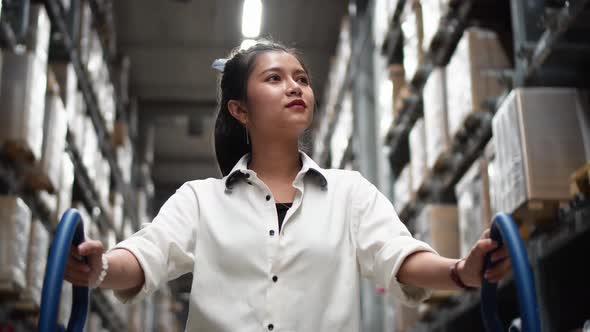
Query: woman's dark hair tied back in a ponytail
230,134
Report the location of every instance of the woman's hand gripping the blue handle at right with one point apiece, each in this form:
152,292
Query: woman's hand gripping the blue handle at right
470,269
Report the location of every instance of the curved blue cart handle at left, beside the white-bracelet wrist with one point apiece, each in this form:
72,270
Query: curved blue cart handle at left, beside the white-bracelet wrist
70,231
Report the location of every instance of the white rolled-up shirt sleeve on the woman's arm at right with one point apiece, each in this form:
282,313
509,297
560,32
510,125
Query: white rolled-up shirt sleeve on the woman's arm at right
383,242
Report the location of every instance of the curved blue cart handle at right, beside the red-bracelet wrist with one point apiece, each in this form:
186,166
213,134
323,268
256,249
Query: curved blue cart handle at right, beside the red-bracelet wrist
505,232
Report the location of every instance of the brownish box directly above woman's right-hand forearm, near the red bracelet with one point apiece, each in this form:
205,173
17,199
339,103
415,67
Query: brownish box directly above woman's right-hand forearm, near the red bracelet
438,225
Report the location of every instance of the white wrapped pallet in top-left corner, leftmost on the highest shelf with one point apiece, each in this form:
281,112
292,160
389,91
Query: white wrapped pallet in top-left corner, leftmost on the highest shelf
38,32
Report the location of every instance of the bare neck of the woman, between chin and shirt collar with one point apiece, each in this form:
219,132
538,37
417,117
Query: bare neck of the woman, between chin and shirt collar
275,160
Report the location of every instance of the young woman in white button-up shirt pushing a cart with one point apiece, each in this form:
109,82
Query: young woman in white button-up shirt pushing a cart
278,243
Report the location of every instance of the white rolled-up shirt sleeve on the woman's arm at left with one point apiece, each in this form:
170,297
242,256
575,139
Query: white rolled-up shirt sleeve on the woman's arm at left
164,247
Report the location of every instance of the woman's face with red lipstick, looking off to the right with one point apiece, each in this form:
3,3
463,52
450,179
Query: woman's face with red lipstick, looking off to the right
280,101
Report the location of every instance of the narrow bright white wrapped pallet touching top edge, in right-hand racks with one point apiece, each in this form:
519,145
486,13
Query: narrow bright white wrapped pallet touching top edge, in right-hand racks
413,35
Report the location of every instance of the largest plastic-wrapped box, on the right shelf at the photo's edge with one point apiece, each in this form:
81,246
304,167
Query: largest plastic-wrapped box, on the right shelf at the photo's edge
537,148
